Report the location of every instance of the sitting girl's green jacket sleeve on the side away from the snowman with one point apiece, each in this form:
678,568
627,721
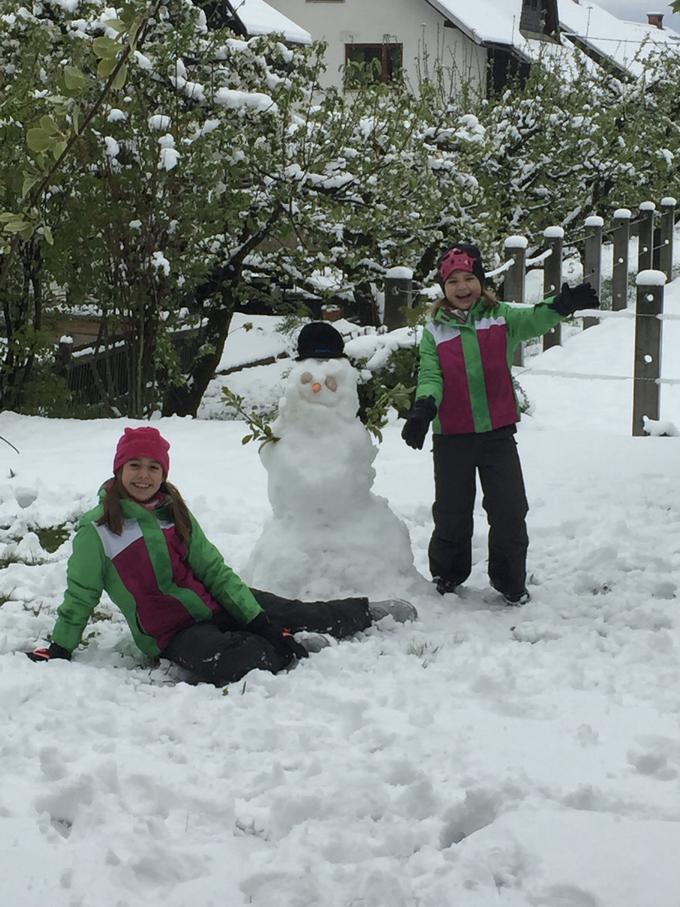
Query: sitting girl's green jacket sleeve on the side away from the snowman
84,586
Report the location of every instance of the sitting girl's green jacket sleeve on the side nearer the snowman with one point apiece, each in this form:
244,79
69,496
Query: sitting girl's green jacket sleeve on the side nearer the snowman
220,580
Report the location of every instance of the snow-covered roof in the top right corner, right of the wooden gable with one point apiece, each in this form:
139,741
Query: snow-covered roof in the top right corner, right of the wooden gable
627,44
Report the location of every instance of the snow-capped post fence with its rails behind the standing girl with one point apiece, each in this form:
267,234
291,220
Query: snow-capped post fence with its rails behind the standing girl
654,267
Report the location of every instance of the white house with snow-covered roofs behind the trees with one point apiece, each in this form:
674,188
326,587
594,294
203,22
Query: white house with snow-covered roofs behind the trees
482,41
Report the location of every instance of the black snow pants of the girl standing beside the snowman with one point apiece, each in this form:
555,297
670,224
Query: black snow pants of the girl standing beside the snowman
457,458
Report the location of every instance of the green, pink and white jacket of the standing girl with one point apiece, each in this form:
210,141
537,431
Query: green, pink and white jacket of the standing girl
465,366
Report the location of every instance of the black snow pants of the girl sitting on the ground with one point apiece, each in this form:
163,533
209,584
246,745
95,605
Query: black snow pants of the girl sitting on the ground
220,650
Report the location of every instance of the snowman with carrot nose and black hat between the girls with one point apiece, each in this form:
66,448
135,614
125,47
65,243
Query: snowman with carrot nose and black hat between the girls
329,535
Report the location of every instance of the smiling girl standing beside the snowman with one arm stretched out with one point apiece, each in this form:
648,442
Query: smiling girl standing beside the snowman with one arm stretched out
465,389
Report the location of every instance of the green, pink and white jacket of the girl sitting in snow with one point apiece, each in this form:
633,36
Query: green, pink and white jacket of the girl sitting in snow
161,585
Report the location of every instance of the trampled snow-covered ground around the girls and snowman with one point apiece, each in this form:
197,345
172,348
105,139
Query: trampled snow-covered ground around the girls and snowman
480,756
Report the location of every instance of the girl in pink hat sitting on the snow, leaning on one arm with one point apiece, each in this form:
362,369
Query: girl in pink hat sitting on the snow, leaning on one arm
181,601
